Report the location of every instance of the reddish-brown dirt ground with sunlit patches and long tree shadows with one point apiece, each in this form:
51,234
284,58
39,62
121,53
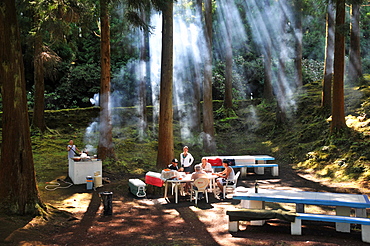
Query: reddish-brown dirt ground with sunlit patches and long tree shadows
156,221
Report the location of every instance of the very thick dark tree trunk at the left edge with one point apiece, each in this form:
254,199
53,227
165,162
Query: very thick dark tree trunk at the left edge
18,190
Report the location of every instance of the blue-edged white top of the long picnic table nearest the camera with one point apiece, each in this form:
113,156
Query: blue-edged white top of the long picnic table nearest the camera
304,197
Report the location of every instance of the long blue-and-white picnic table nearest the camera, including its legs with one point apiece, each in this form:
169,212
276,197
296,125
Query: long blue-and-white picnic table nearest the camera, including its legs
342,202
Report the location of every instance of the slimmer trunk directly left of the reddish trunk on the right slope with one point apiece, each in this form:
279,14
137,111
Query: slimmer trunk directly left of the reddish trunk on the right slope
329,57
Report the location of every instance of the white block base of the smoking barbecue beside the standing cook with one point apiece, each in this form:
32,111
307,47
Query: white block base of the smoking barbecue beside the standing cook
79,170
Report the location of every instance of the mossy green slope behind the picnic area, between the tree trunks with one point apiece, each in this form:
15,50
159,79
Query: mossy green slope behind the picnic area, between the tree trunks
304,140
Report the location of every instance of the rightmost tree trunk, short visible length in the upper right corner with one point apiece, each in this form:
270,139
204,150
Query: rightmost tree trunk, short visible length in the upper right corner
355,64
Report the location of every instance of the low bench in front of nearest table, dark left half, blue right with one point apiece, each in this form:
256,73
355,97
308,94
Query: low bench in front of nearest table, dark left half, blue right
295,218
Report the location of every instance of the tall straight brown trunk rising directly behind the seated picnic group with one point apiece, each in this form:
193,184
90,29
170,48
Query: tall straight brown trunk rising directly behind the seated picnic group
165,134
